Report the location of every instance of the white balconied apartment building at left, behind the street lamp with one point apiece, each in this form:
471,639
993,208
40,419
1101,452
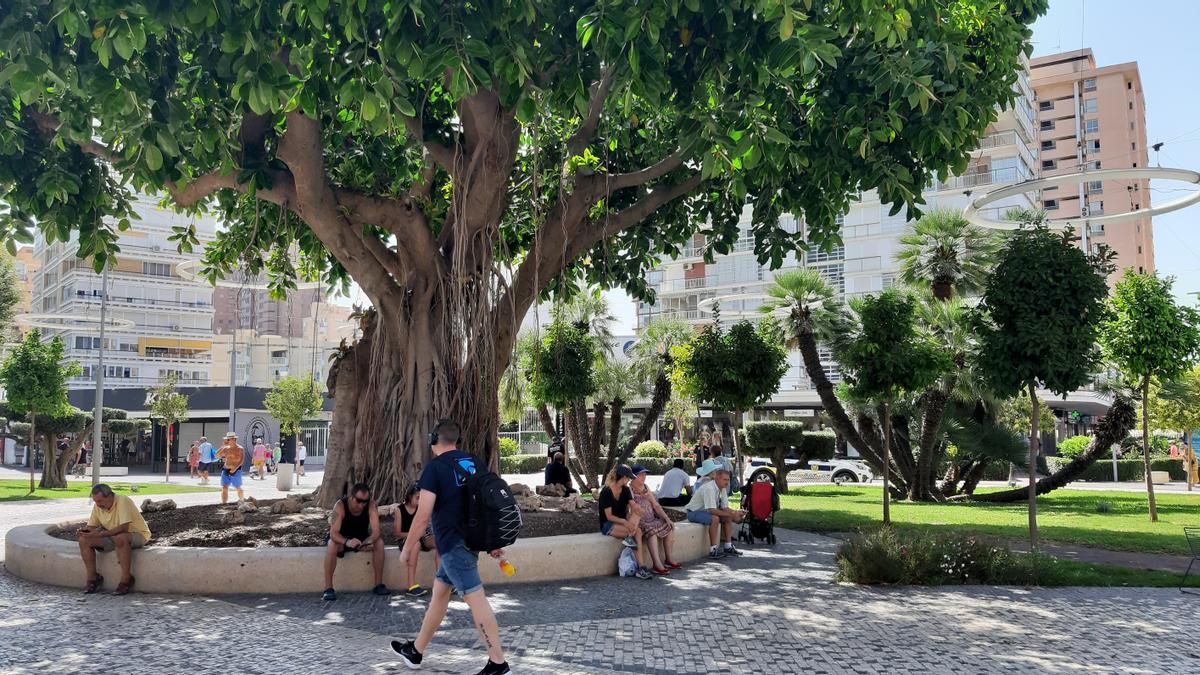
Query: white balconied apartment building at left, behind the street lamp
172,316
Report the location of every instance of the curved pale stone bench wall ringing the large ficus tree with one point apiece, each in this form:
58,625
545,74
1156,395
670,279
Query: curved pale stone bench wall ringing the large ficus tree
33,554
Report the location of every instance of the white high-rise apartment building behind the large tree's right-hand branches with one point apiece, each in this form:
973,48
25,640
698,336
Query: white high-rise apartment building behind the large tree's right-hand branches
865,262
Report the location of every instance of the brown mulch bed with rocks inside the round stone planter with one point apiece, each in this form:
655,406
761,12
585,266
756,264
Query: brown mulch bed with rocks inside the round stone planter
201,527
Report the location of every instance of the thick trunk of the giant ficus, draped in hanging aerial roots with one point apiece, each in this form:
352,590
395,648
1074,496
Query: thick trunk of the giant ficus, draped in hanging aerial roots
412,371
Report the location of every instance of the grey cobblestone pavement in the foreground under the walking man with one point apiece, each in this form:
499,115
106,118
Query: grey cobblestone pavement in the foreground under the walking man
771,612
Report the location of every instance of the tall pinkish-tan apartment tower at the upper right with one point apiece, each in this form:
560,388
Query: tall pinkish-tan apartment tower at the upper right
1095,118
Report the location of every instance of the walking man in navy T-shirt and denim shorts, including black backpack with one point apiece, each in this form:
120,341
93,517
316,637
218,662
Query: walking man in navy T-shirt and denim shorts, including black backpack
454,485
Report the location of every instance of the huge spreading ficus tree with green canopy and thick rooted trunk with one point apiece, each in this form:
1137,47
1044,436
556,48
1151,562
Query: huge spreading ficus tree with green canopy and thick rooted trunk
459,160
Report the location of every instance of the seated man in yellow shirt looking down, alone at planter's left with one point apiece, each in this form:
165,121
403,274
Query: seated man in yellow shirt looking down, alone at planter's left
116,524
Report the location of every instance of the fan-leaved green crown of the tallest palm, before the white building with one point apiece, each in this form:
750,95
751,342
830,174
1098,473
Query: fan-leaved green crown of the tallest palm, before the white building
947,255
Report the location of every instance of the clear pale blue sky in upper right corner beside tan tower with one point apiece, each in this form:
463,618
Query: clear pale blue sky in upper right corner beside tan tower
1161,35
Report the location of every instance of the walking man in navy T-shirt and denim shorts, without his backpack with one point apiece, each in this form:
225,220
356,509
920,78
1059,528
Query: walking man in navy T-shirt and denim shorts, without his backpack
443,500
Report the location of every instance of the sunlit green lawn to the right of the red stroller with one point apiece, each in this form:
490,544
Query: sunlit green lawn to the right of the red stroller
1064,516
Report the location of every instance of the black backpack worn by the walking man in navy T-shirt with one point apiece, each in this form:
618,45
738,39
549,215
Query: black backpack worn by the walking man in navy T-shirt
490,516
